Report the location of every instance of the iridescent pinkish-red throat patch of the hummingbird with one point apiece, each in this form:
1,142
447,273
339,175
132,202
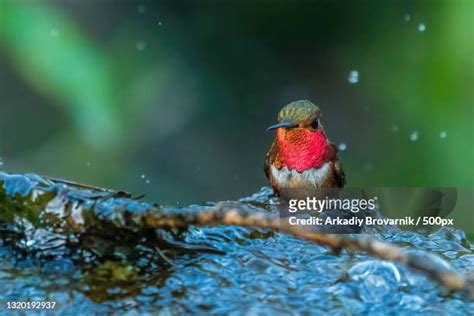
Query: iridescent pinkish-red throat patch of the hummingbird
303,149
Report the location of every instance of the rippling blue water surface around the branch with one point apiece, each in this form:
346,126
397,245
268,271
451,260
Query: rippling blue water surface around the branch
50,251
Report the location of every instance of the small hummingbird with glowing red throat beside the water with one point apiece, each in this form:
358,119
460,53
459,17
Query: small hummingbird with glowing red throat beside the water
301,159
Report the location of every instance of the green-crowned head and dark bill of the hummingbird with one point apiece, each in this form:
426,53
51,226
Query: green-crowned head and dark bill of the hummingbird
302,113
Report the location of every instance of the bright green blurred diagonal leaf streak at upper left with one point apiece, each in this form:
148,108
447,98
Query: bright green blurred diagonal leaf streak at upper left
58,59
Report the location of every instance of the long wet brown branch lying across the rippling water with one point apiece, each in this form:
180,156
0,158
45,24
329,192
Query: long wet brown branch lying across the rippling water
133,215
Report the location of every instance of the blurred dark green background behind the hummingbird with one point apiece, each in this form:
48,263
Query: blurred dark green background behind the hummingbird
172,98
